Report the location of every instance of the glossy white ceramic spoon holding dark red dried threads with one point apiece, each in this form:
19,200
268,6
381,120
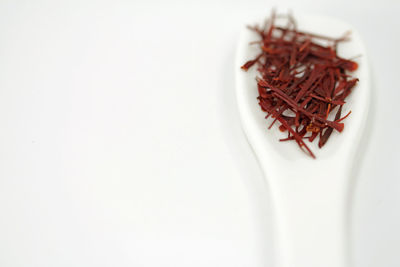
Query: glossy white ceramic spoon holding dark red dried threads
310,196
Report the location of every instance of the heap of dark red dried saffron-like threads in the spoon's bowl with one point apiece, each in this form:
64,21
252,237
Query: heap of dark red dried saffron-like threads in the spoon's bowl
301,82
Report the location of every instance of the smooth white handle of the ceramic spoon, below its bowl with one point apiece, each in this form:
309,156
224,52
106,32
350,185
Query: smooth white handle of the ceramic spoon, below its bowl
311,216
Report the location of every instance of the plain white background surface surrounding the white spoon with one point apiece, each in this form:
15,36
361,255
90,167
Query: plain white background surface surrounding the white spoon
120,143
